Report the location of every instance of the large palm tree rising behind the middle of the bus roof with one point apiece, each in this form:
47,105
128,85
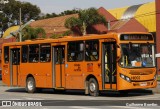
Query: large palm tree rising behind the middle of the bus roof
86,19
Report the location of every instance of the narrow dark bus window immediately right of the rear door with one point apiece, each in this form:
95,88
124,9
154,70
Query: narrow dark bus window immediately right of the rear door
24,54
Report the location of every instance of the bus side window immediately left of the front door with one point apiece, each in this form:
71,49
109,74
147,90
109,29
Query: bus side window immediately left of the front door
92,50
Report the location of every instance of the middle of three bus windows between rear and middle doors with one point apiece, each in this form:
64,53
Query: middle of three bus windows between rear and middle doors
33,53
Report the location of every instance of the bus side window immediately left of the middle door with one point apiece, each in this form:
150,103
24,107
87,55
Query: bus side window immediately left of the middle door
45,53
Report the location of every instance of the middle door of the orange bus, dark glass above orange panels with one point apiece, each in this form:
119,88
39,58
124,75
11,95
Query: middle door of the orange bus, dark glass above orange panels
58,66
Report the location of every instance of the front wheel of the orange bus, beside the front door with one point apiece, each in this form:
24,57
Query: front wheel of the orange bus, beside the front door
93,87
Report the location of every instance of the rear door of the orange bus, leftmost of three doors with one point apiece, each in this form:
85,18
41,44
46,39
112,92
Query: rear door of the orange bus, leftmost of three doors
15,66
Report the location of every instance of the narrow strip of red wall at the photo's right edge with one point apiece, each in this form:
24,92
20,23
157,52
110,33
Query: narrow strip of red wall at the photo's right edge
158,32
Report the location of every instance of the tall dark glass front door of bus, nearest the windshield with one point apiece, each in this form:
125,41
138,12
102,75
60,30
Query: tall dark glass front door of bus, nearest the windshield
109,66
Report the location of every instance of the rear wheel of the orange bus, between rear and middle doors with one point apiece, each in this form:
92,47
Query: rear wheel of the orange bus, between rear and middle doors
30,85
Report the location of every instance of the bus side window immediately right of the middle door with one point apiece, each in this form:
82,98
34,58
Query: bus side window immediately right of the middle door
75,51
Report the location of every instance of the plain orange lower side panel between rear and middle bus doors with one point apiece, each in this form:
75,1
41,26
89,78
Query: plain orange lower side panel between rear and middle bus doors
41,72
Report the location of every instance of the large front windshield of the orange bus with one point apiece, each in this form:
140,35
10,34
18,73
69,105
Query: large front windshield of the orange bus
137,55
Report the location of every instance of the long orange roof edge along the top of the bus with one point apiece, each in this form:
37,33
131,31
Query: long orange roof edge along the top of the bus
112,35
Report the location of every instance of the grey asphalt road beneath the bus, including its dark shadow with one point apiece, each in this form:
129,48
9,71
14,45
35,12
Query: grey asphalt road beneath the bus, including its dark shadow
77,100
